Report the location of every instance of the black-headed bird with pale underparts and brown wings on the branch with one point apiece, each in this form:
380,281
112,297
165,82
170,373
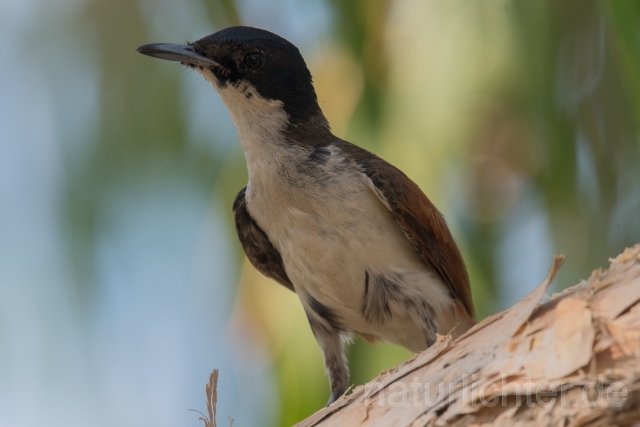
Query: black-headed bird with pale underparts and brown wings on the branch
364,249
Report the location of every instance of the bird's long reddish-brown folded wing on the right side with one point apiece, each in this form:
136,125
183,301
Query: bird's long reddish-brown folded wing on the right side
419,219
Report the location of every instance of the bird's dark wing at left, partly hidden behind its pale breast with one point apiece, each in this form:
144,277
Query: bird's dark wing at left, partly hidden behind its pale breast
255,243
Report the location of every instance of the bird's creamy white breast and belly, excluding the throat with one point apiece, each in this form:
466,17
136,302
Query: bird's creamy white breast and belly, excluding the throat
331,228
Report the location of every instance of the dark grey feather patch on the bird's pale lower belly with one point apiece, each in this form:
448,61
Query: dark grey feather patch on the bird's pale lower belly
379,291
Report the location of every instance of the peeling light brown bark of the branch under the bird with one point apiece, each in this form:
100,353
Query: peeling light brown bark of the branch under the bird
573,360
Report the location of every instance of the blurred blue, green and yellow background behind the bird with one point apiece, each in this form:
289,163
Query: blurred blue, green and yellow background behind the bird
122,284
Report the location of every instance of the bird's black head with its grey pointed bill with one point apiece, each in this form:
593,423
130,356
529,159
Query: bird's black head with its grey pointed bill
250,60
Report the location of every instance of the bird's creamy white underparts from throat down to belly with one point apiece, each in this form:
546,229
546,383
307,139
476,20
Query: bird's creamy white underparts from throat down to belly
329,223
